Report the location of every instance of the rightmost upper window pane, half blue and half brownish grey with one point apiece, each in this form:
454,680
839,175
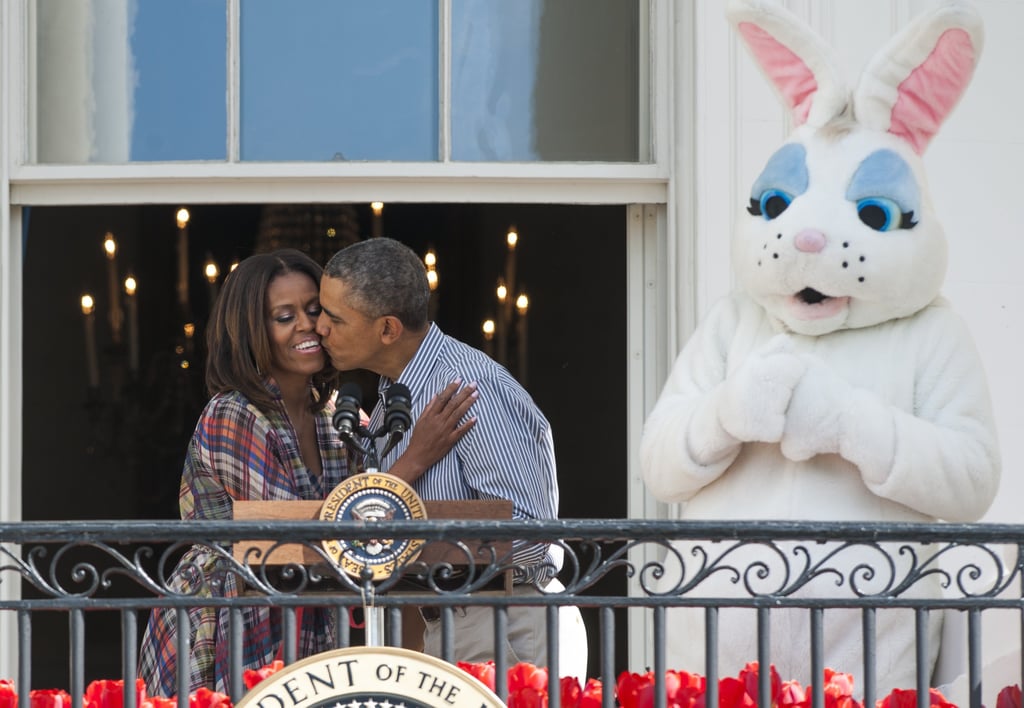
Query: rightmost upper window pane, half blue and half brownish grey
545,80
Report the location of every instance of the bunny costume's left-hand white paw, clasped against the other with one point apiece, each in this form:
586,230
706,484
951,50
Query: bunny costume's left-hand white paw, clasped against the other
756,396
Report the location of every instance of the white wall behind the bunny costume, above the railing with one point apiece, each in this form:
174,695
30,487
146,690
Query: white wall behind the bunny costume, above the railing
975,171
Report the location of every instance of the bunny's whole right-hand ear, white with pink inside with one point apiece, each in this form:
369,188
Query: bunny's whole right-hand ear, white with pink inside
913,85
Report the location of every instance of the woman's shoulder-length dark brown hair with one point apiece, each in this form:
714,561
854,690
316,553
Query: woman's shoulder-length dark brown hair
238,346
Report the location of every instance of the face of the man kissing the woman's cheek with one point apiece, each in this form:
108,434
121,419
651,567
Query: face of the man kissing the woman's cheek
352,340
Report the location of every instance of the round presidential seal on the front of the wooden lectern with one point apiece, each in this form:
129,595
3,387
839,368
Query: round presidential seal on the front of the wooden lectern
371,498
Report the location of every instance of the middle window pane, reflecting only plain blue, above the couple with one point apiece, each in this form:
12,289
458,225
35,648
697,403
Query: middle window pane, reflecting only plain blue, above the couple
325,80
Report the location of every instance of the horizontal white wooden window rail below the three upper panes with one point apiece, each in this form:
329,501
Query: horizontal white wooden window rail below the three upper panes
313,184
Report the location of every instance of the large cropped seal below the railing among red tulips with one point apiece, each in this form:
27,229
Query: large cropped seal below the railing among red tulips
370,678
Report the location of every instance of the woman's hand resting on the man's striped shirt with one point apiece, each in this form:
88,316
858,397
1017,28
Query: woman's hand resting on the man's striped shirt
437,431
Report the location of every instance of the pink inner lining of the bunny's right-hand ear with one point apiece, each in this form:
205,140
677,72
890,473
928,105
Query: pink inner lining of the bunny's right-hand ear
927,97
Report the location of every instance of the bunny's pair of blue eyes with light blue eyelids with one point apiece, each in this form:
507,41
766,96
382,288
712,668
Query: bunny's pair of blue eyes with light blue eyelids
883,189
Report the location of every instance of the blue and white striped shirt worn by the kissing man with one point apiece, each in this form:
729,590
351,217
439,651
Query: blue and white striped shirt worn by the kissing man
509,454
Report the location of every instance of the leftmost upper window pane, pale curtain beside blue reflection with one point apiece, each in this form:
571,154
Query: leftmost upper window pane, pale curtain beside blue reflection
141,80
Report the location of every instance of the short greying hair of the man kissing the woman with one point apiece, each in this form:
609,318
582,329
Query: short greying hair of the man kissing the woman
385,277
